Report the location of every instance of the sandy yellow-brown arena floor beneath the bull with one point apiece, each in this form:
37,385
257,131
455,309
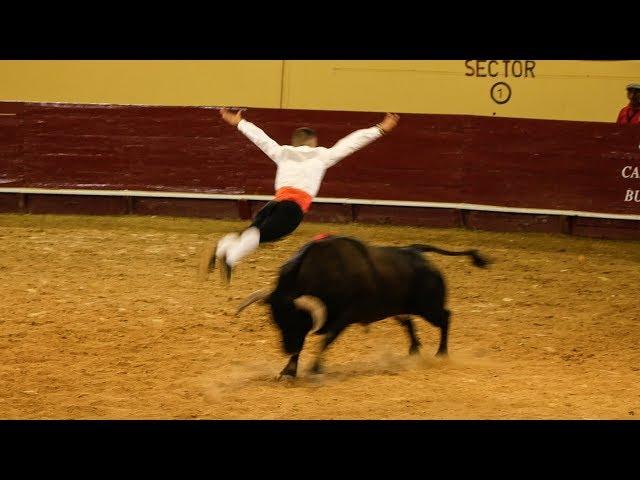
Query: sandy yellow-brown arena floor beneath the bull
103,317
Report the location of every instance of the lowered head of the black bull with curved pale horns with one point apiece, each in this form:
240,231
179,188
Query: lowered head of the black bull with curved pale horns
290,316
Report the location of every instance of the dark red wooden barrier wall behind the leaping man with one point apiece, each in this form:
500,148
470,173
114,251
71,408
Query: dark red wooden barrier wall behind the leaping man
537,164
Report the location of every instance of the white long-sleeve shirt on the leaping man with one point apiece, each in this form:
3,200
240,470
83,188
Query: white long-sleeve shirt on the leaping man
304,167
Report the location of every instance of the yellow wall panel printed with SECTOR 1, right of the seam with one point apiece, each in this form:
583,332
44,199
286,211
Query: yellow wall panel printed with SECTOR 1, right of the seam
561,90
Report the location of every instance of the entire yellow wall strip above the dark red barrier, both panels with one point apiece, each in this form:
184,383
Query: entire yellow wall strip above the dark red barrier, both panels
545,89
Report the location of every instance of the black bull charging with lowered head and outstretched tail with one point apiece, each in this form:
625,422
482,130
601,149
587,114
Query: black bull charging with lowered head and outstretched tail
338,281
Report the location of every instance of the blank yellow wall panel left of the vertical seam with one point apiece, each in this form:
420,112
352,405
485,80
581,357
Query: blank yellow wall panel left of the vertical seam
146,82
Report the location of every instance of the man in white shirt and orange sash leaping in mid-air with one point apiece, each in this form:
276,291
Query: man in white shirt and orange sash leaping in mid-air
300,169
